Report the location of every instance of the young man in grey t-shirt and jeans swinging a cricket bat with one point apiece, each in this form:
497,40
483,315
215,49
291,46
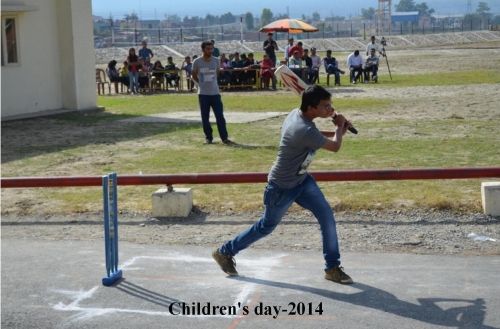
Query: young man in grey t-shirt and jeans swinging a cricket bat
289,182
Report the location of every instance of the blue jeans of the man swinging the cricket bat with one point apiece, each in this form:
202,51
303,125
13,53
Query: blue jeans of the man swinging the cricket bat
277,201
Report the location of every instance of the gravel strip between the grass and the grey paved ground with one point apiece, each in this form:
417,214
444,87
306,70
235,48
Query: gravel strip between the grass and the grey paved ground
421,232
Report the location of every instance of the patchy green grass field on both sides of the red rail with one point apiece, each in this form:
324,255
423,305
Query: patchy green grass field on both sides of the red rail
106,145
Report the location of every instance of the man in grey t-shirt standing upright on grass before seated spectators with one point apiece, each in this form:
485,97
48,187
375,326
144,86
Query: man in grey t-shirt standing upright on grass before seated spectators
205,72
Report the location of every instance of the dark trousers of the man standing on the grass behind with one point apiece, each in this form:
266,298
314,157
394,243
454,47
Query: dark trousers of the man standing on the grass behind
215,102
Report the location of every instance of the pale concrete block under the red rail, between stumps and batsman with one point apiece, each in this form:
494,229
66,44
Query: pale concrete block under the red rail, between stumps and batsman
175,203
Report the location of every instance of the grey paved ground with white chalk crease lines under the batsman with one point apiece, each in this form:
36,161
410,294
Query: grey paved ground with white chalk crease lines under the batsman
57,284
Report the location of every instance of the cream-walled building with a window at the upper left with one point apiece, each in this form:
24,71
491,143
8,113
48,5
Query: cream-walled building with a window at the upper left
48,60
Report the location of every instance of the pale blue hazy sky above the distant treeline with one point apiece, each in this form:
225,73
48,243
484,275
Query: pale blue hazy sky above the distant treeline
151,9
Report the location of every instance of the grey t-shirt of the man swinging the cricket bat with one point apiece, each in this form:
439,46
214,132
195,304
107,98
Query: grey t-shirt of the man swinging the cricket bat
299,141
